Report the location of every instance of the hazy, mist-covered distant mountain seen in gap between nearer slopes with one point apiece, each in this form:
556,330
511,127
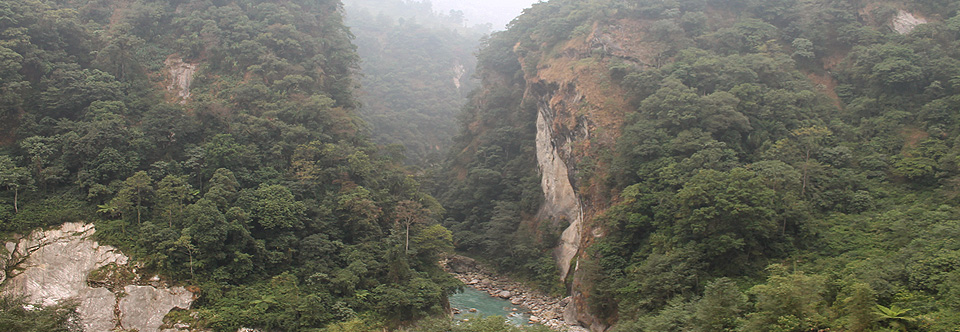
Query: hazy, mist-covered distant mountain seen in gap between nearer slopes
416,70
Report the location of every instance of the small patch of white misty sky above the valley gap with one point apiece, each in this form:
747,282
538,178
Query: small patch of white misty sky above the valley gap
498,12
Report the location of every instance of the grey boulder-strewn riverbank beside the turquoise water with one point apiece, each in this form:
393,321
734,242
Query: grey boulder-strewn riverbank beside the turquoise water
545,310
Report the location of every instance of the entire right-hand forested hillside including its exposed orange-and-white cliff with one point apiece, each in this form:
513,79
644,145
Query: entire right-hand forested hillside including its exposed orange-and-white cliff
737,164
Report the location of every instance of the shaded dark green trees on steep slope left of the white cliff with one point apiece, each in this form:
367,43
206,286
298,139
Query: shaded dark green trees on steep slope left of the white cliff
497,185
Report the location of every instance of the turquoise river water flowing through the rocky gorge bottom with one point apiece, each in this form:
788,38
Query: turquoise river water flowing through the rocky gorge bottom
486,305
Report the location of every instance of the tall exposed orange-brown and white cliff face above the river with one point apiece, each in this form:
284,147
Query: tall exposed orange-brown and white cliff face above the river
580,113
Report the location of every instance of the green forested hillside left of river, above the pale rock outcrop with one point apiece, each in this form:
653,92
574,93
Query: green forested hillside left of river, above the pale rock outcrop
217,143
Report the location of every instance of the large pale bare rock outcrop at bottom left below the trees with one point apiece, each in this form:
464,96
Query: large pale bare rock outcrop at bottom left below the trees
51,266
